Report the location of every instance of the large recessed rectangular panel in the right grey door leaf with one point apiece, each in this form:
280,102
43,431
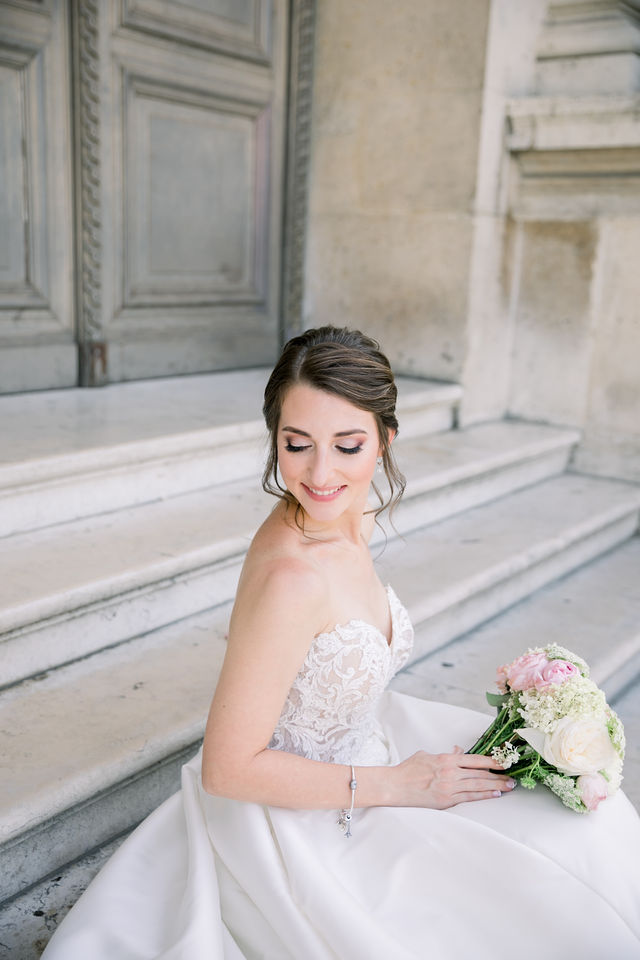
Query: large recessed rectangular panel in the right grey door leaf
180,250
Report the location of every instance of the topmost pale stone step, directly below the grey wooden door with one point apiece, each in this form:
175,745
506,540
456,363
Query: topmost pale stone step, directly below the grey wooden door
75,453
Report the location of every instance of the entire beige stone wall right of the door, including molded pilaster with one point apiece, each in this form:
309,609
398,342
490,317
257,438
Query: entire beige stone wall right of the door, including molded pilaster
475,204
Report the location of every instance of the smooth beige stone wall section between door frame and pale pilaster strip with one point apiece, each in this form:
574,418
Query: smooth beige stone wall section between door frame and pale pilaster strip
396,121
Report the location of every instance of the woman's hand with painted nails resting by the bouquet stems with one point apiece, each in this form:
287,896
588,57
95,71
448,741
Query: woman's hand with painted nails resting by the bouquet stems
441,780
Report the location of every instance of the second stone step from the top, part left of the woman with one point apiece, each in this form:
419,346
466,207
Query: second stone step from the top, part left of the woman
75,589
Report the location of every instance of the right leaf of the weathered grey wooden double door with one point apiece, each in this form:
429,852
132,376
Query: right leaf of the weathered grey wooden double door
190,175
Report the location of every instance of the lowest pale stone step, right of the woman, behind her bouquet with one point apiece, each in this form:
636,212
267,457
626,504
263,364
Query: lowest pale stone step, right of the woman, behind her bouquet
594,611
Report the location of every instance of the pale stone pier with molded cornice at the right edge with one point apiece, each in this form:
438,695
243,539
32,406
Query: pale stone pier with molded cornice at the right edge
574,201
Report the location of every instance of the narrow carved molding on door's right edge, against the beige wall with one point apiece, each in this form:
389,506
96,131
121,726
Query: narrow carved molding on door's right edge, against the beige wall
298,155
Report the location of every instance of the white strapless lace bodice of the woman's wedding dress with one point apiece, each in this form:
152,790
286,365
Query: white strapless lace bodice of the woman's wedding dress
329,713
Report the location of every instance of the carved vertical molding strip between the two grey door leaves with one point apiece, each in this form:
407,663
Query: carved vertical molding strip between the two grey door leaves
86,15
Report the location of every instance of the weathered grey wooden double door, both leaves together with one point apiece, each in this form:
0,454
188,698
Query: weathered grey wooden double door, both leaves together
141,185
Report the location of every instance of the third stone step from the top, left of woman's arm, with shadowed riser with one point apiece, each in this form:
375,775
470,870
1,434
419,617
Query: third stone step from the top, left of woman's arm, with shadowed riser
125,721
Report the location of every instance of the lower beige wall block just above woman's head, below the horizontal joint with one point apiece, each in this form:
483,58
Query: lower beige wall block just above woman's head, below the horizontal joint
398,277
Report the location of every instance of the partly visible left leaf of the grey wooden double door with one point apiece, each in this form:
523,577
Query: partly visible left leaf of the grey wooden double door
37,337
